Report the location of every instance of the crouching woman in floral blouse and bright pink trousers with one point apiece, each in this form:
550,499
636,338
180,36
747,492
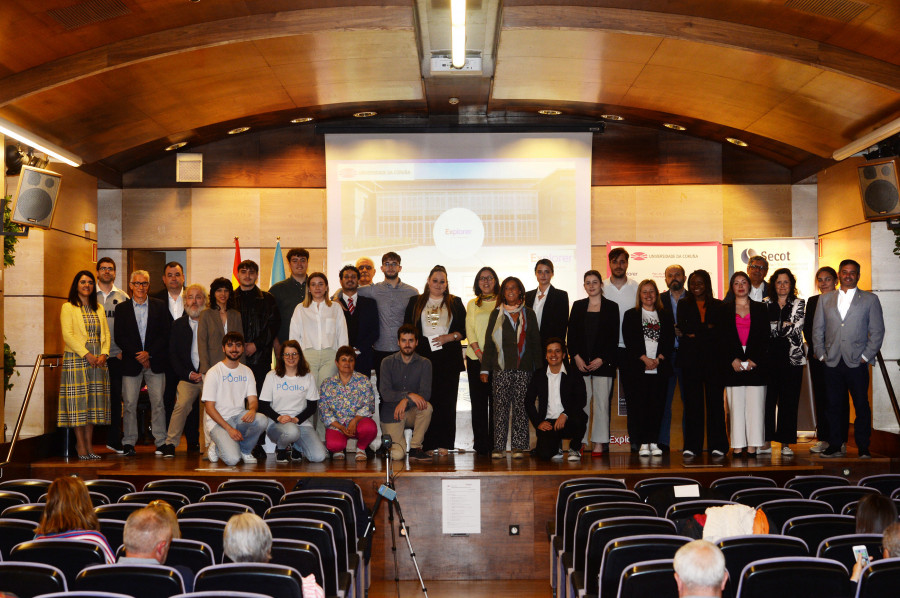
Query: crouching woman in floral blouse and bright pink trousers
346,406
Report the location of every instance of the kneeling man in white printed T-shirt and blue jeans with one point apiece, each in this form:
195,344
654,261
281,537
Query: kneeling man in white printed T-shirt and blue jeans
233,428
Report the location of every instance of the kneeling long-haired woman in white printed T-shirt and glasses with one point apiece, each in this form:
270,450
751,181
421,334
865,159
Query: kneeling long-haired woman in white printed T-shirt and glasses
289,398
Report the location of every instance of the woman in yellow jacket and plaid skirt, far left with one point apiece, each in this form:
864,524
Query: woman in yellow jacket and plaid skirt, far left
84,382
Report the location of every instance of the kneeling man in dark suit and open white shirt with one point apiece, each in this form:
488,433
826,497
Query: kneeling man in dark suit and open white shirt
559,412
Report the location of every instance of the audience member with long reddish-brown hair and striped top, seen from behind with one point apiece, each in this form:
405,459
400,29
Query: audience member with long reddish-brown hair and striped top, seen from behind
69,515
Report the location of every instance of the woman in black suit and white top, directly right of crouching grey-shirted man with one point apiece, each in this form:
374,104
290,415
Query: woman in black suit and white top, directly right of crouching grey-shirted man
440,320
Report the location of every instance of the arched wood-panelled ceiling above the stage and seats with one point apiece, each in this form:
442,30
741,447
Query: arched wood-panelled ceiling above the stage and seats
115,81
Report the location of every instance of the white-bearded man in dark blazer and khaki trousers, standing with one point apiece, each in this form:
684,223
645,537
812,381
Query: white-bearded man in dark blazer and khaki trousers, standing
184,360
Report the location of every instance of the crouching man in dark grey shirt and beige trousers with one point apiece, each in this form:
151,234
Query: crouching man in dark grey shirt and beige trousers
405,379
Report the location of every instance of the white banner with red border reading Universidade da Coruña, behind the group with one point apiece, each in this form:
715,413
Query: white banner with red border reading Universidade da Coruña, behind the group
650,260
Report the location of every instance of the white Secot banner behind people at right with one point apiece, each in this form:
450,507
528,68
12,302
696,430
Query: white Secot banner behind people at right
795,253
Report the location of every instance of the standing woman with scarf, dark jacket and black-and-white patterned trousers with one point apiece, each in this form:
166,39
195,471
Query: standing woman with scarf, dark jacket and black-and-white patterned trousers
512,351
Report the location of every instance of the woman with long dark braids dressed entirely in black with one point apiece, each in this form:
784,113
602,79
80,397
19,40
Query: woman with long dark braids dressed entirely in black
702,391
